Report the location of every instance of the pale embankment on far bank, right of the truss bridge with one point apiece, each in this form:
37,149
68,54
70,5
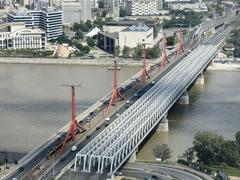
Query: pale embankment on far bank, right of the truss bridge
224,67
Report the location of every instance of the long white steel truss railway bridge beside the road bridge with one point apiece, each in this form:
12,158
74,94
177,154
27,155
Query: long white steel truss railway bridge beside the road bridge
107,151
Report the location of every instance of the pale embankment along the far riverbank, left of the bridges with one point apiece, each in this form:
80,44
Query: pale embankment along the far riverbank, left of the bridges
84,62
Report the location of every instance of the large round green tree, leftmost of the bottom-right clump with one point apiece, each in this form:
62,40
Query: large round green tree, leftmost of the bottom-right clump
207,146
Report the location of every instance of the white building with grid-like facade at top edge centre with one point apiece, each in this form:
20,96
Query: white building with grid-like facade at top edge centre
141,7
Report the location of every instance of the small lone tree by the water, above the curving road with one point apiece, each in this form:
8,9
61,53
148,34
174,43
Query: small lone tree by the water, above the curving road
162,151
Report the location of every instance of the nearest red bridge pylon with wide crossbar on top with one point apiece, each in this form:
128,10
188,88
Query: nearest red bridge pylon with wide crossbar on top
73,126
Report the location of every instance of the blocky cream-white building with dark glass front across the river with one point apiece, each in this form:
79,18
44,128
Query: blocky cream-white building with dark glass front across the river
130,34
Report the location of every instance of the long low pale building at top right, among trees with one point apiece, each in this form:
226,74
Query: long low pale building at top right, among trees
197,7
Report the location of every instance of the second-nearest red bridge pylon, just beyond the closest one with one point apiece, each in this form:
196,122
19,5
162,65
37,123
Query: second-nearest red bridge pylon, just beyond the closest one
115,94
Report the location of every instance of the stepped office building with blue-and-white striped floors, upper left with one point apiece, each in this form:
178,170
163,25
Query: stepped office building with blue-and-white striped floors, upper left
49,19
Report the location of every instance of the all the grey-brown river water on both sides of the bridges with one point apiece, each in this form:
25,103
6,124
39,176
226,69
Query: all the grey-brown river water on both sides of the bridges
34,105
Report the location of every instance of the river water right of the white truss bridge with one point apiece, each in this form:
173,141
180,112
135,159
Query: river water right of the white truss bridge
214,106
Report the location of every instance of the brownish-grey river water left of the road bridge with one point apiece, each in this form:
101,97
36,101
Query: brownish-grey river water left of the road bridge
34,105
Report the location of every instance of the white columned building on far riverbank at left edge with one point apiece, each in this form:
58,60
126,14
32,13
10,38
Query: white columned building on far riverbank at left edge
17,36
